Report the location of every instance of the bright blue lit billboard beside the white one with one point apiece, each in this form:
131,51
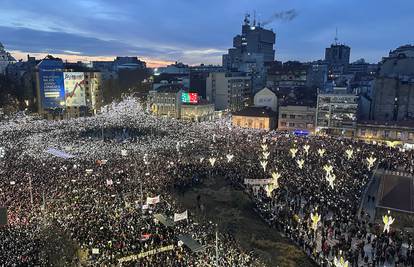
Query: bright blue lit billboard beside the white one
52,90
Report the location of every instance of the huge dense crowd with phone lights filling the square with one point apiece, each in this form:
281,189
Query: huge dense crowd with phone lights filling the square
96,193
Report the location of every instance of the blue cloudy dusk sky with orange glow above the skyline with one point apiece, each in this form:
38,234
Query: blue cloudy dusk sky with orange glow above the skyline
199,31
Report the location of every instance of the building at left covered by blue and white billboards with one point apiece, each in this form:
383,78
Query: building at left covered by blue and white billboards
67,90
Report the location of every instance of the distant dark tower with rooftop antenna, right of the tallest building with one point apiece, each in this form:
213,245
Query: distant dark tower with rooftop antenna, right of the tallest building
337,58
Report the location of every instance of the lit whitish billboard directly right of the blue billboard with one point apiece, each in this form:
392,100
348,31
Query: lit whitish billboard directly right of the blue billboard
74,89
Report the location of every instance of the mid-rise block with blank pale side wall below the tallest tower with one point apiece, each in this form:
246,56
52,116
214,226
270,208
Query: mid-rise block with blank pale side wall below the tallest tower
227,90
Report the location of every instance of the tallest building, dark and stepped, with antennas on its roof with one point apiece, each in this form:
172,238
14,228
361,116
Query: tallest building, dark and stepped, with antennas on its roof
251,50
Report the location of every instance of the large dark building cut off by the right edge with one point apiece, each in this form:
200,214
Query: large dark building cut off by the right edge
393,98
